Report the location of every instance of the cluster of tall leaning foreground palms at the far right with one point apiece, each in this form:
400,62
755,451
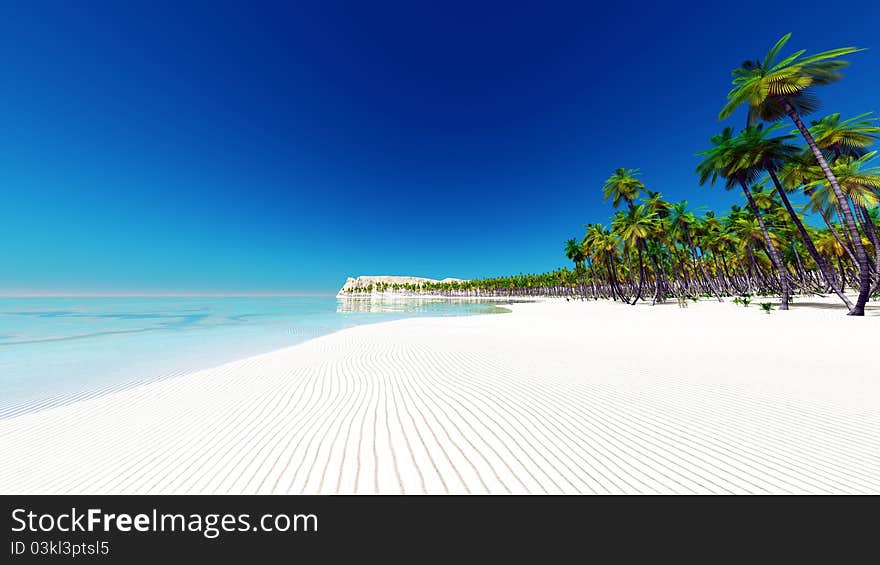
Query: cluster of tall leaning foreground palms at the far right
774,89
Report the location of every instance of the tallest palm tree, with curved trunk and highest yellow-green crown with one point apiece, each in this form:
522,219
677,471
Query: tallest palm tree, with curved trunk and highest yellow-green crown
775,89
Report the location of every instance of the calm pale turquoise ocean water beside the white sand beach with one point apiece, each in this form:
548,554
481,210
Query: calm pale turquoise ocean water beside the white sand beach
58,349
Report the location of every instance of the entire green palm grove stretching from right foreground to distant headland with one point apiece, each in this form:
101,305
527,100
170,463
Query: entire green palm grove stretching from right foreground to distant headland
662,250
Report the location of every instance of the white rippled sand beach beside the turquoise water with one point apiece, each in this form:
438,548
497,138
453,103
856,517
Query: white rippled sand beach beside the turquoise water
554,397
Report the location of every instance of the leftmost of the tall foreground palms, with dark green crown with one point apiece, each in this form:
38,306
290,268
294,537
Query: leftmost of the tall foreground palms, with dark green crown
729,158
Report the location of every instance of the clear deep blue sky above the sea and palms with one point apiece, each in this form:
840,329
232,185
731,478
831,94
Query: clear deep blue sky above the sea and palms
259,147
